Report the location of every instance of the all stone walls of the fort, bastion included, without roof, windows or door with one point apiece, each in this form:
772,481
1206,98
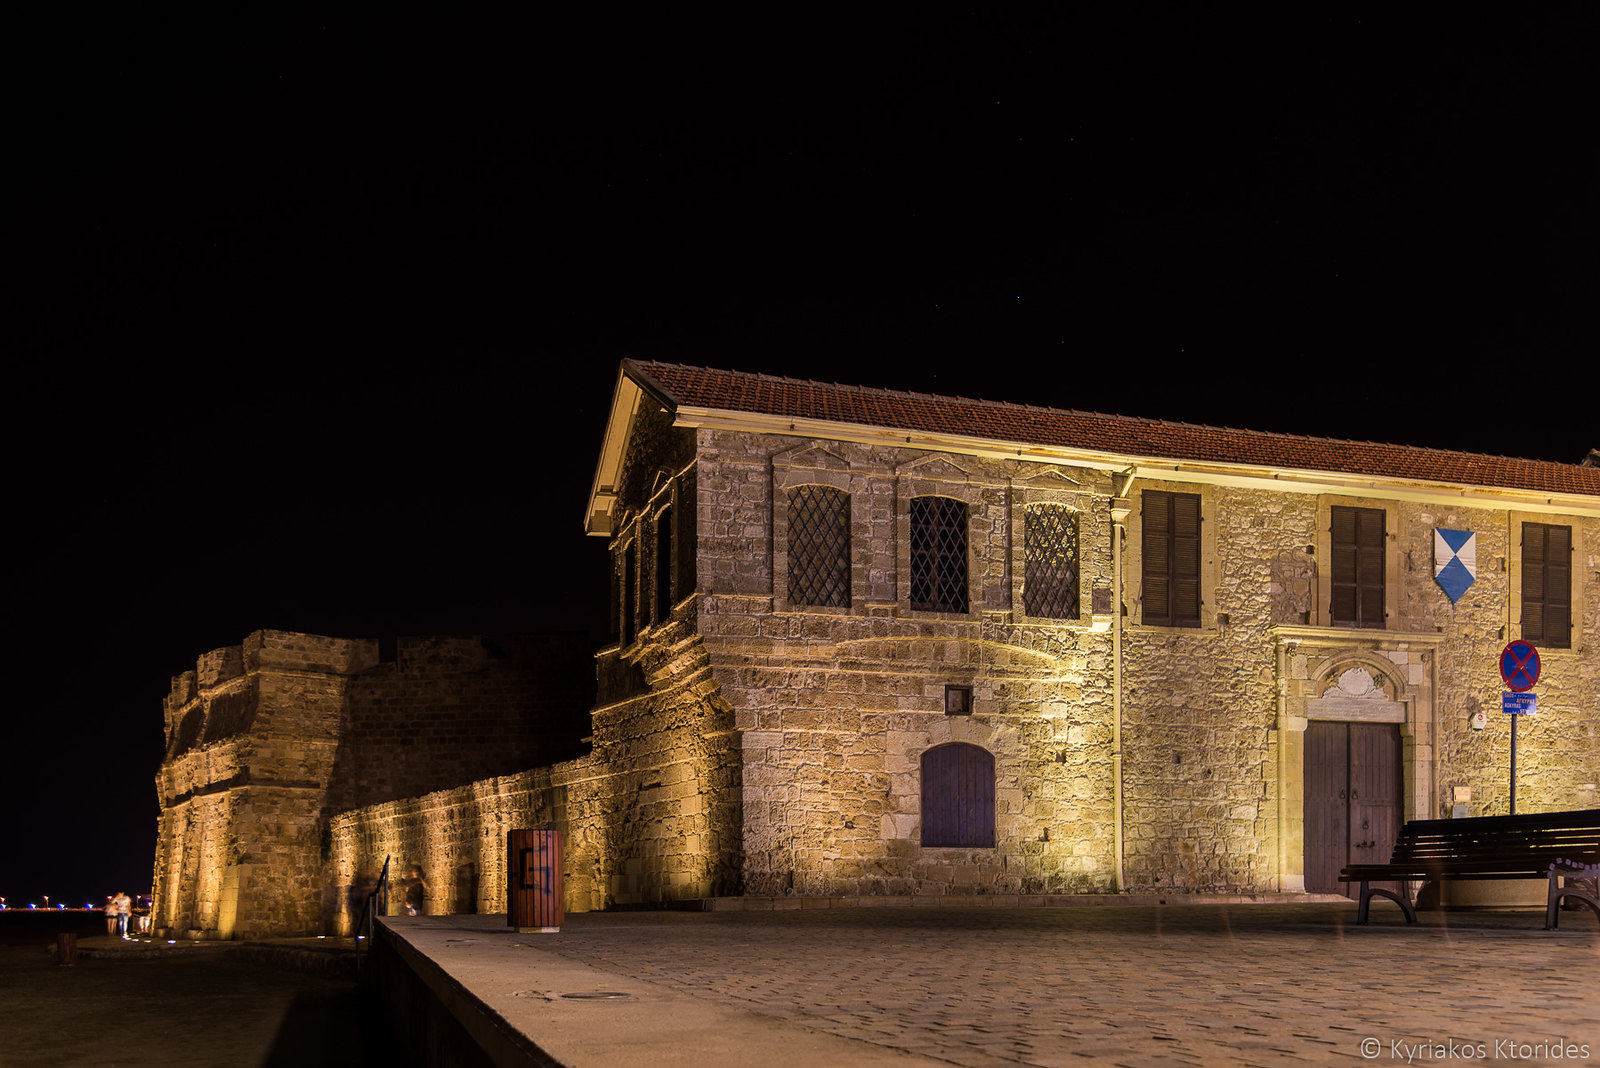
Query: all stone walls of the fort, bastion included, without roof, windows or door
746,746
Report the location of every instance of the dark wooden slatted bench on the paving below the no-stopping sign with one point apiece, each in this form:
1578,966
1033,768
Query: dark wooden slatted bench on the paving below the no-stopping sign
1562,848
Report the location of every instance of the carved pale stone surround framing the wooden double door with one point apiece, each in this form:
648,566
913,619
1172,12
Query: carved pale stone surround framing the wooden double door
1346,675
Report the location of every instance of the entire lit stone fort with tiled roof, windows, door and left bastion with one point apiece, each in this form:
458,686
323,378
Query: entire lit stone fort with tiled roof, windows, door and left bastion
889,645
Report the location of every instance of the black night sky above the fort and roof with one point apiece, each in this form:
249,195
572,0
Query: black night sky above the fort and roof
319,319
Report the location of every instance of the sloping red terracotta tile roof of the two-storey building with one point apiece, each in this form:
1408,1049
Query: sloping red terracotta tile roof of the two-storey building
761,394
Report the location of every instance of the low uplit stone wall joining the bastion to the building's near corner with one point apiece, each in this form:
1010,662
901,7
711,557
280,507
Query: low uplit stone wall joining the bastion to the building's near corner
649,818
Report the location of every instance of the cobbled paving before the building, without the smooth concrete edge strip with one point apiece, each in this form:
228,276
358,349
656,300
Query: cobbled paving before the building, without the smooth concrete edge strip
1134,986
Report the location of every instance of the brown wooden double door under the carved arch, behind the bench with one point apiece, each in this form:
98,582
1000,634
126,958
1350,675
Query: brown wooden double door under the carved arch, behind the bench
1354,799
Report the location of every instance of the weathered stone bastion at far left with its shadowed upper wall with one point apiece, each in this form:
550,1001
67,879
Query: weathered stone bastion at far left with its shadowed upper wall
266,741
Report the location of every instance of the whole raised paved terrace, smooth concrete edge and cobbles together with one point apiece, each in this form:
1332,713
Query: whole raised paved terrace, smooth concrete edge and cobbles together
1121,986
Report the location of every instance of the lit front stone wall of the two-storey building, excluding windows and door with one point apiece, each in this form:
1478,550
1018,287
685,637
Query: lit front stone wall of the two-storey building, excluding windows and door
834,707
